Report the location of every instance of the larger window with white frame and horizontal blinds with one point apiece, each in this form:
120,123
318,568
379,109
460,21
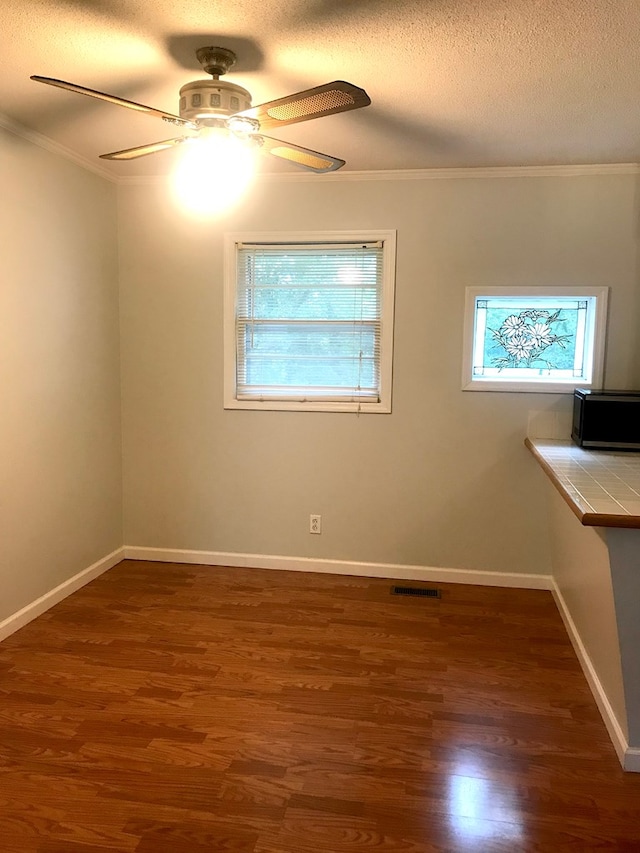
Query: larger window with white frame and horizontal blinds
309,321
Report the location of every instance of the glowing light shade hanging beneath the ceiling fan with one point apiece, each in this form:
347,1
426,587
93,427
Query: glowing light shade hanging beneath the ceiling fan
213,172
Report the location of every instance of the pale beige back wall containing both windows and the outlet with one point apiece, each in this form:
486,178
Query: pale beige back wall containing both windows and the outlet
442,481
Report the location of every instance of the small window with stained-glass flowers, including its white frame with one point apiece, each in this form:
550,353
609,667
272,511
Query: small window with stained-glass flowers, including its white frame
534,339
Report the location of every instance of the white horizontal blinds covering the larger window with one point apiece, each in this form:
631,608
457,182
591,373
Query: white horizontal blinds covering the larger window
309,321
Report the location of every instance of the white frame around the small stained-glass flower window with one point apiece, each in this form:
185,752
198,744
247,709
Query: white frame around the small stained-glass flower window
594,341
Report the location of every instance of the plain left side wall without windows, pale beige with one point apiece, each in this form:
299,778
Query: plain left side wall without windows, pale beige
60,436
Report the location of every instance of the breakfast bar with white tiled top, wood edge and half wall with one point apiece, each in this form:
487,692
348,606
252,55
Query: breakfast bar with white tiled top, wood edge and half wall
594,519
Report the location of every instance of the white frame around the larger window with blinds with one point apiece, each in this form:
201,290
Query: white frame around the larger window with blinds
231,242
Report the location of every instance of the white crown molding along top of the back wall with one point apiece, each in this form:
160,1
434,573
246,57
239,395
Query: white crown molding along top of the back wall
428,174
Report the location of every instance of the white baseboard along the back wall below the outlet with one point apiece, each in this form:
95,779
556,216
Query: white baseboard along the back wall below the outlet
340,567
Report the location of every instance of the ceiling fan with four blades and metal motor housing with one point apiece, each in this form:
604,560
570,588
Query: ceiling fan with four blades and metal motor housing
209,104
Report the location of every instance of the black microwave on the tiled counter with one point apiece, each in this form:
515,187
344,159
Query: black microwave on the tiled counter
609,420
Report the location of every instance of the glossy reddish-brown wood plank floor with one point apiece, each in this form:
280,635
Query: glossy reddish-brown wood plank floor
182,709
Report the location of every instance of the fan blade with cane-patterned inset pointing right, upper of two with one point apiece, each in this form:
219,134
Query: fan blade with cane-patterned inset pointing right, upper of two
336,97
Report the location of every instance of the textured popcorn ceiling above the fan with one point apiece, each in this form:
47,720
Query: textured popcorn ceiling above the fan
453,83
